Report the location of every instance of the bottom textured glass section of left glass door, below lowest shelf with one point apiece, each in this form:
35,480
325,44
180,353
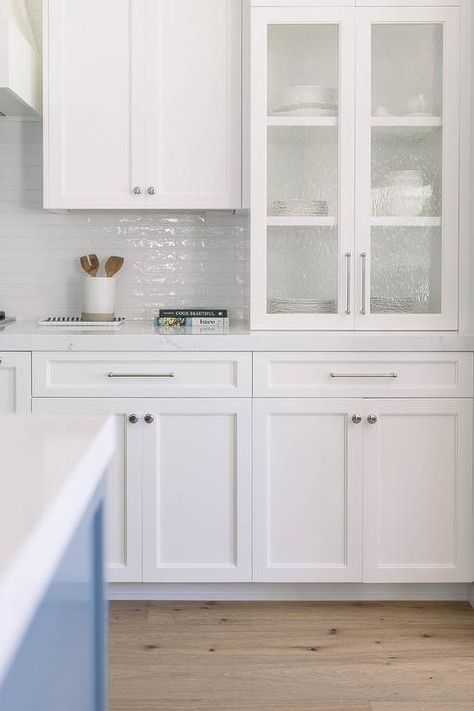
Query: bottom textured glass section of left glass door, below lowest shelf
302,270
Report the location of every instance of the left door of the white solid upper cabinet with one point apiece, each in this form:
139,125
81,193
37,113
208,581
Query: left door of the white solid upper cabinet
93,109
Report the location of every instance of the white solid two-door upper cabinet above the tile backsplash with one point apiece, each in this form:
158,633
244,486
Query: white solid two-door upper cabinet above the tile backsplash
142,104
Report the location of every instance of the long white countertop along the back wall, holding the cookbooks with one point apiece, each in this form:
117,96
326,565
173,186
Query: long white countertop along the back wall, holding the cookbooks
143,336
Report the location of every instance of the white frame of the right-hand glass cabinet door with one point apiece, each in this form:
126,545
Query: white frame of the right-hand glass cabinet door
449,18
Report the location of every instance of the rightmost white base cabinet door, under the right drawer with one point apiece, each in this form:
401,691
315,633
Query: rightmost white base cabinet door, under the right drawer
418,491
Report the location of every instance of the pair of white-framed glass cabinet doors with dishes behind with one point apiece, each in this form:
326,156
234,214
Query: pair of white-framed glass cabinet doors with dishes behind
355,164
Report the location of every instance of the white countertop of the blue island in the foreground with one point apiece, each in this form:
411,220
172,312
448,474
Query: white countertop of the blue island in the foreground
51,468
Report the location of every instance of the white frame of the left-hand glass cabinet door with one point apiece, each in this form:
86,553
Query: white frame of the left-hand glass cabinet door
261,19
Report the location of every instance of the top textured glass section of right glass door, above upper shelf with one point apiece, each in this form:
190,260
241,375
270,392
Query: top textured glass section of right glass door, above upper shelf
407,69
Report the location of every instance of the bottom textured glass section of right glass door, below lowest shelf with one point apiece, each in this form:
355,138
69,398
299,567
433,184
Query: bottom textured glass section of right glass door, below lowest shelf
406,270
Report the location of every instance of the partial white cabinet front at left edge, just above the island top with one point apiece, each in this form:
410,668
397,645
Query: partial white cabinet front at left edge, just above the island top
15,383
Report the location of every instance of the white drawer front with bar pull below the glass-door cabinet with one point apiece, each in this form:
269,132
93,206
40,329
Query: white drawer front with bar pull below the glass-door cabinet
363,374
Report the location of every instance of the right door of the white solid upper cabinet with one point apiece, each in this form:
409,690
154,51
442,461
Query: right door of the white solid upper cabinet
193,104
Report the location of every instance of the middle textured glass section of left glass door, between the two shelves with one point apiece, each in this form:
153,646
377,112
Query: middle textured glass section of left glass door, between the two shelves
302,166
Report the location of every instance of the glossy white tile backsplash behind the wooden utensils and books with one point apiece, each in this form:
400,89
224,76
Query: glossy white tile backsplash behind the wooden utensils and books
172,259
